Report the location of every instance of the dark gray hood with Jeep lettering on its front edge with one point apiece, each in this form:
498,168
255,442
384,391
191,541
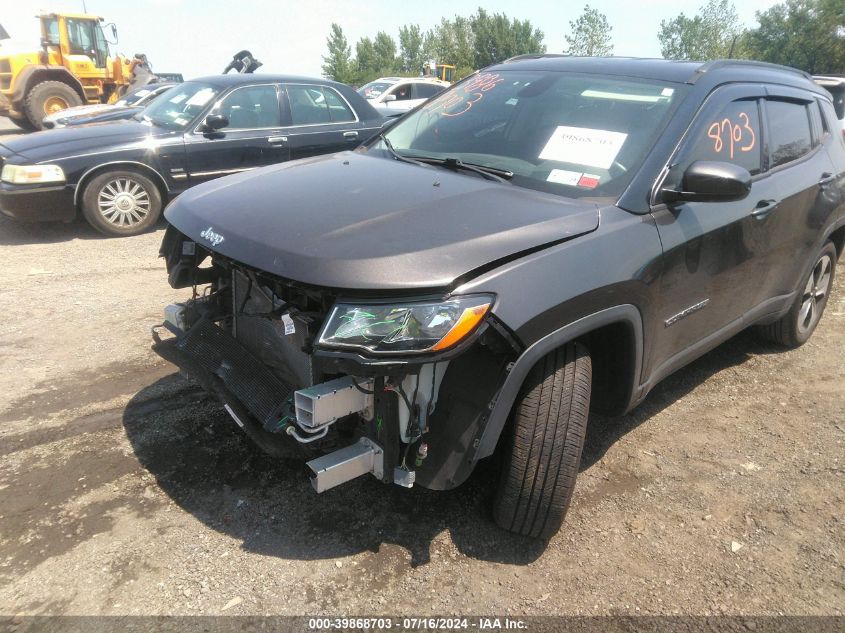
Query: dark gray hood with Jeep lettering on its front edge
356,221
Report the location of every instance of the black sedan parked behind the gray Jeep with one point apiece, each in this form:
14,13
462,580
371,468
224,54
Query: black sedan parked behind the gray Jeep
120,174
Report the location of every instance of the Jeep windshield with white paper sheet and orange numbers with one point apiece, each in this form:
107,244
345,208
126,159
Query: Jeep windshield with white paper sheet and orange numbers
569,134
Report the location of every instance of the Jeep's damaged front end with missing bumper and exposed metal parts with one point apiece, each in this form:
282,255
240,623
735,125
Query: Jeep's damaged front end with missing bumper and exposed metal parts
395,387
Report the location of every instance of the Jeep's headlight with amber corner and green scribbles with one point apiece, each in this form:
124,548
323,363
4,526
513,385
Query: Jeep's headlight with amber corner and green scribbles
396,328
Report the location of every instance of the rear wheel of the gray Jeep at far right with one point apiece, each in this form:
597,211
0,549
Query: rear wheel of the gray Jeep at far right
797,326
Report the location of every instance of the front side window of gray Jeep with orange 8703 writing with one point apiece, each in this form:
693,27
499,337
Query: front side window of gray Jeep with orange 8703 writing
731,134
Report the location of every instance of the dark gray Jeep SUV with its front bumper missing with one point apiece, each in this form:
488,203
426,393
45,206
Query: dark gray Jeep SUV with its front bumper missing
549,236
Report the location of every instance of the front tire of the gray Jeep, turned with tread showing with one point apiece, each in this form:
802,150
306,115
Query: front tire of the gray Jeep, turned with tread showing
549,425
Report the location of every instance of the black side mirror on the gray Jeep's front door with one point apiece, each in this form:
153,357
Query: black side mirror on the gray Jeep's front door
711,181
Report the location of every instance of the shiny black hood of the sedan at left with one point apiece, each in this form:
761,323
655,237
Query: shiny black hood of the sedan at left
62,142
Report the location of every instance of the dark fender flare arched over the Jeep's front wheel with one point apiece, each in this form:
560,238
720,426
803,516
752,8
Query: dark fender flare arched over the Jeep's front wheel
626,313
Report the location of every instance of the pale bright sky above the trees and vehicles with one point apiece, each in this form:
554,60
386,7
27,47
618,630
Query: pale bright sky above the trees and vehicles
199,37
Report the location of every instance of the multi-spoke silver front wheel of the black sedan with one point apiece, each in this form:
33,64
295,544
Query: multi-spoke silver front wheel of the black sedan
121,203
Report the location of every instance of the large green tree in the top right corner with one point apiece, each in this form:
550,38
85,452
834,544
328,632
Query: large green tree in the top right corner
805,34
